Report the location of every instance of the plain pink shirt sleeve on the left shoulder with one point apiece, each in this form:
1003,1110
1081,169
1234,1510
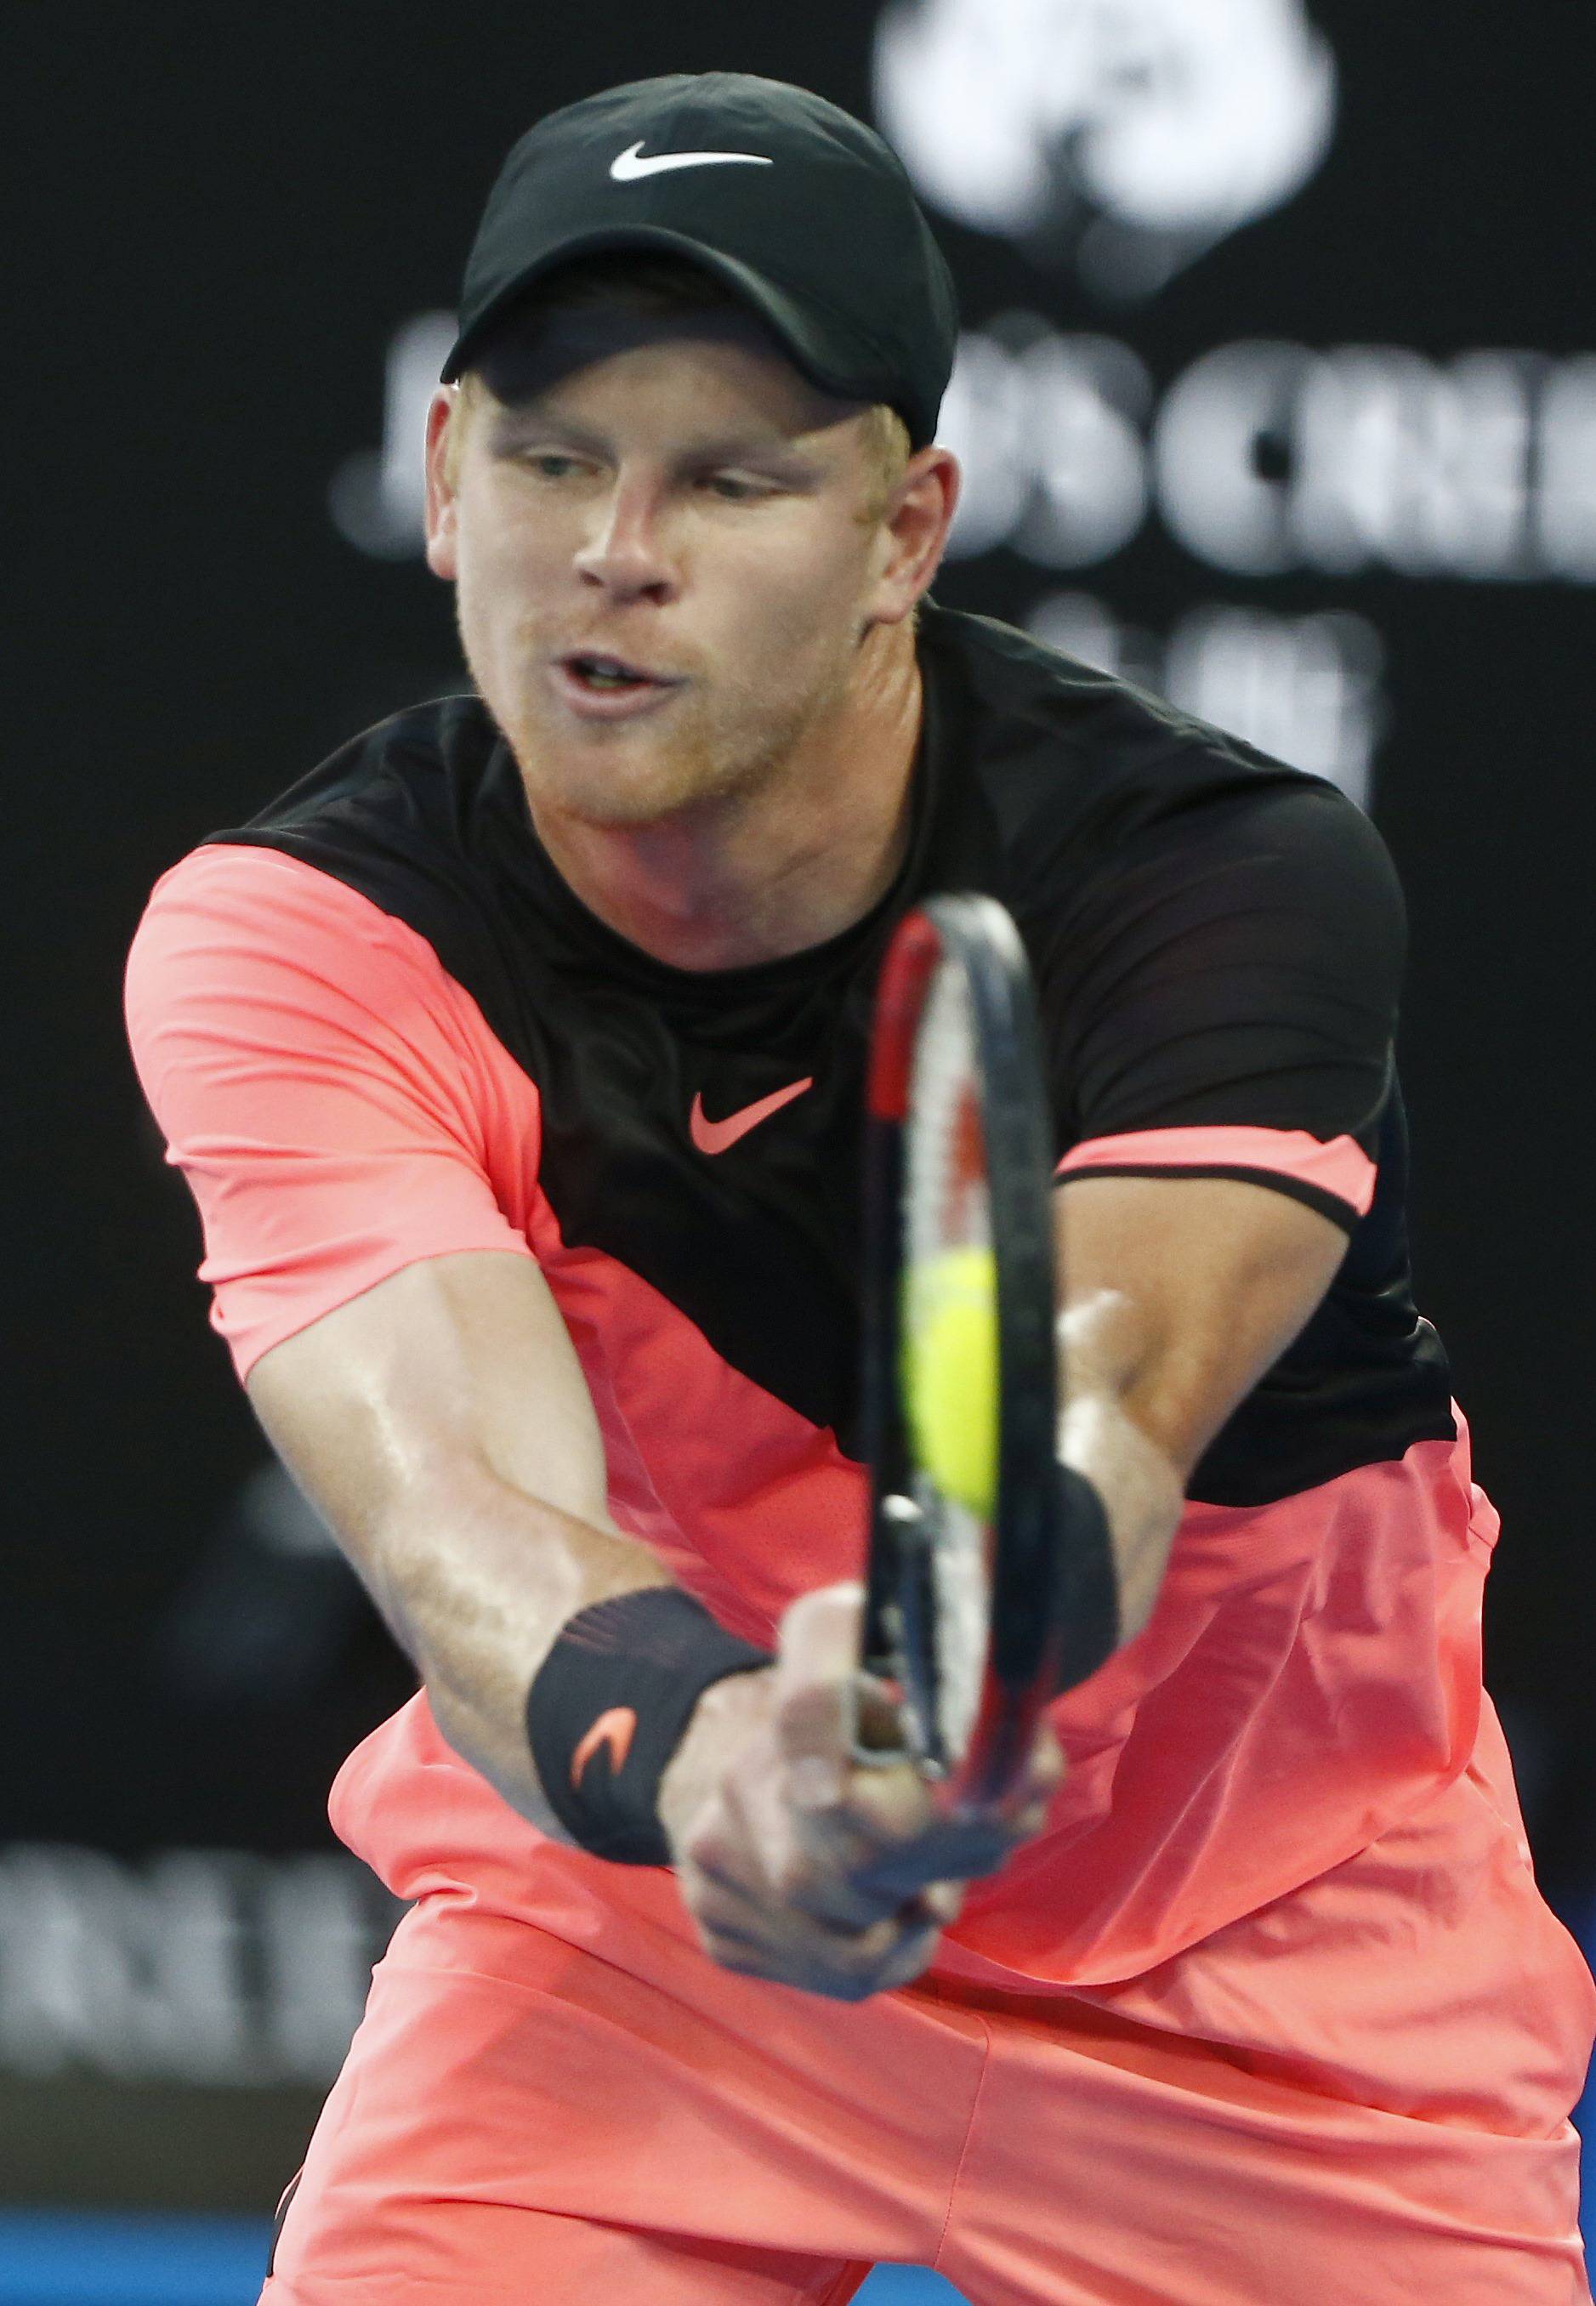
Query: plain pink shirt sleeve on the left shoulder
322,1083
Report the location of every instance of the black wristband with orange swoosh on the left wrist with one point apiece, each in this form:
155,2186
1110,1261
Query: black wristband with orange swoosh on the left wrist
610,1705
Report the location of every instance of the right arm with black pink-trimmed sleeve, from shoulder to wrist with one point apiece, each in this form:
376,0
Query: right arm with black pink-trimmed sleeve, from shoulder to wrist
1224,1002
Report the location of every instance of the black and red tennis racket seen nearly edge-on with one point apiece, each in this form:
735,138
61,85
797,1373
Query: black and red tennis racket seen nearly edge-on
961,1355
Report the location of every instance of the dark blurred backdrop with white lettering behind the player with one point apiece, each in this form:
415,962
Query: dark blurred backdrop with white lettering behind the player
1279,393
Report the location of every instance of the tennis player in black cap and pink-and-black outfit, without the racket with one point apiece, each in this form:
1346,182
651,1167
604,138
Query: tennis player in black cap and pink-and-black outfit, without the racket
515,1062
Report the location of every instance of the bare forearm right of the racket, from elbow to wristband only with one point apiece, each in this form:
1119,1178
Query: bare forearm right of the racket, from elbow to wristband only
1108,1435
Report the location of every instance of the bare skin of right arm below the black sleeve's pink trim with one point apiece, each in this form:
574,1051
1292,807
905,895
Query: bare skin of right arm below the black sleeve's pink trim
1177,1293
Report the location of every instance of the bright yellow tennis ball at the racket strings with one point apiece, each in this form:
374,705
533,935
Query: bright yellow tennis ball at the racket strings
951,1378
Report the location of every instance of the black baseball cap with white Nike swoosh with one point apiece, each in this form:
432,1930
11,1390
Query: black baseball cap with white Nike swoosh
795,204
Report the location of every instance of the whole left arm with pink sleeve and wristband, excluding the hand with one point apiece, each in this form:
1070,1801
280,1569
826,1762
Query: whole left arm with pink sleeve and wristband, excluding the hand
333,1097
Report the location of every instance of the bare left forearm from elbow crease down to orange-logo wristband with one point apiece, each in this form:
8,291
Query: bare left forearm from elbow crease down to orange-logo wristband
476,1581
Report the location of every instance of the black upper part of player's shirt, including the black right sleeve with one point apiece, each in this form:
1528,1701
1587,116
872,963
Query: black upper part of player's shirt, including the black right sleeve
1214,940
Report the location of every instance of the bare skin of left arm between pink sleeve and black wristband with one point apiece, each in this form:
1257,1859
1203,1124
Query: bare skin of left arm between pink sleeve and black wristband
444,1426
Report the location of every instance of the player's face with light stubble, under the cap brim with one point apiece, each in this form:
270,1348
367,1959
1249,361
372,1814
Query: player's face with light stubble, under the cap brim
675,497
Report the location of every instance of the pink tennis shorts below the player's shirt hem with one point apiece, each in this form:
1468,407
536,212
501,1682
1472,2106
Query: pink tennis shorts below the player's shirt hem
1355,2097
